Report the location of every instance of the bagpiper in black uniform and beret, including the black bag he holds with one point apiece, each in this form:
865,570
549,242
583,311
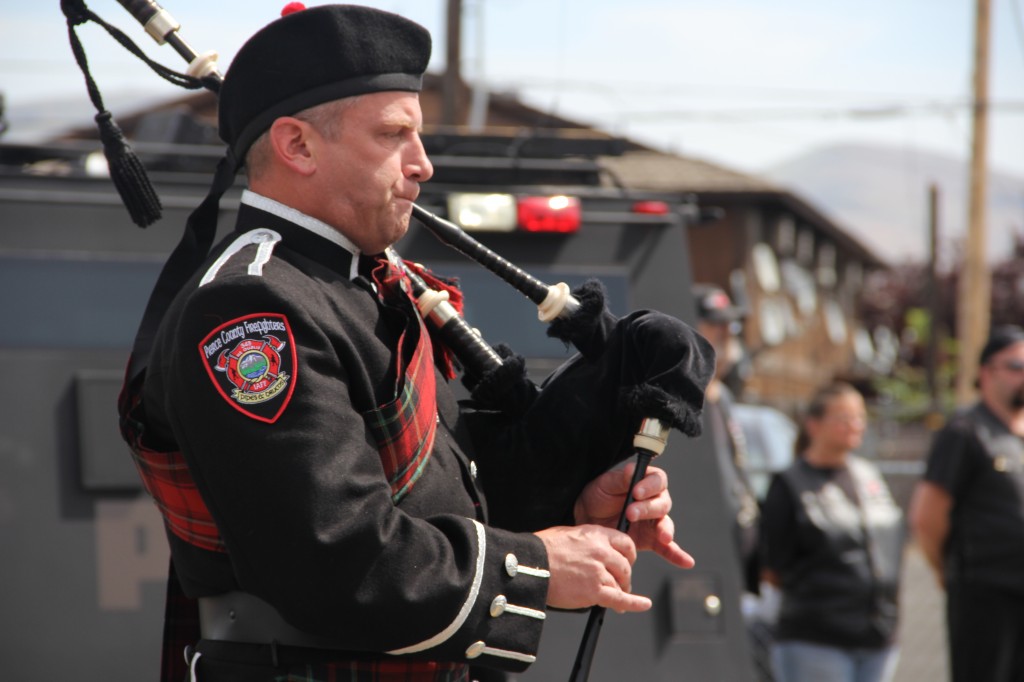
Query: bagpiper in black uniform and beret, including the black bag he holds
332,511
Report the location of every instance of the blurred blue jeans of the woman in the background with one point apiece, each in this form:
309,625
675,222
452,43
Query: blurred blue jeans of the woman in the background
804,662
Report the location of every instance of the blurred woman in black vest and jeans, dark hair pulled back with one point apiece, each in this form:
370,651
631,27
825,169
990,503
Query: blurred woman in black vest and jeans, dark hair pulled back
833,543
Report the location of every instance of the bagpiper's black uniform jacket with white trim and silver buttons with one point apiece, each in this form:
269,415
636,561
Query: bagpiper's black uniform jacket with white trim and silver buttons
293,478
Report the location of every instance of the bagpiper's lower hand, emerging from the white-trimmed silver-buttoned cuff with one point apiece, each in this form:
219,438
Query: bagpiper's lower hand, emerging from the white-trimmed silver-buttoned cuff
591,566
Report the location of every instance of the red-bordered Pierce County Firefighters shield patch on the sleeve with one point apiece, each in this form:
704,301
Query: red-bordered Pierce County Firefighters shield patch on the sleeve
251,362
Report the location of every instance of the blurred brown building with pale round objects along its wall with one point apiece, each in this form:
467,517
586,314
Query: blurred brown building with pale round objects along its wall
798,274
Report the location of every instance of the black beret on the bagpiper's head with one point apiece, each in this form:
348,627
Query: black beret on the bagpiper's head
317,56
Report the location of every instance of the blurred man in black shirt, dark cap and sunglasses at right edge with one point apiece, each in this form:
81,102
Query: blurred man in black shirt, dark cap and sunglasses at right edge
968,517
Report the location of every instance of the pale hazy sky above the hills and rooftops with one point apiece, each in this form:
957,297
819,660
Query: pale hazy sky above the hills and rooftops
747,84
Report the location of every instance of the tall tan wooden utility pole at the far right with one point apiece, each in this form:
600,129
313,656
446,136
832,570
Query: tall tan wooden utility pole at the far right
974,300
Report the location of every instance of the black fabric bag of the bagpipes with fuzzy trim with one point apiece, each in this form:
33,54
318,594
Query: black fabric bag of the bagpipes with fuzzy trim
539,445
